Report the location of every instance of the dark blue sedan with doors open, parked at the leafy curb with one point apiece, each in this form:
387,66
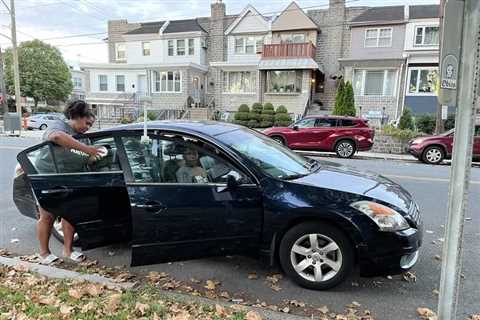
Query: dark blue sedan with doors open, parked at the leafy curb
199,189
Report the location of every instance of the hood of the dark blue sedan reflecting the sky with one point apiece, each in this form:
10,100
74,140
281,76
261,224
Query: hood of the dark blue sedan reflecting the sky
346,179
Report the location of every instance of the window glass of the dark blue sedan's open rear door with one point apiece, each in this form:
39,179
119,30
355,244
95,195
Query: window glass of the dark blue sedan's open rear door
51,158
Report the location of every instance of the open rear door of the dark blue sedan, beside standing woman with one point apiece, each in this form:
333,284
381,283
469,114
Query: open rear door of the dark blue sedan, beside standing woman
91,196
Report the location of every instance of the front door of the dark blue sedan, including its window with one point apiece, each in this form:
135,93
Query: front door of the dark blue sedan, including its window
181,206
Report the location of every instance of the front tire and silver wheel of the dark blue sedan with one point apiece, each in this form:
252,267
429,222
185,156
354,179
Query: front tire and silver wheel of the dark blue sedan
317,273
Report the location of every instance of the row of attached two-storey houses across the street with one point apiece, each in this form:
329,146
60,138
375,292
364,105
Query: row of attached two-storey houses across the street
294,58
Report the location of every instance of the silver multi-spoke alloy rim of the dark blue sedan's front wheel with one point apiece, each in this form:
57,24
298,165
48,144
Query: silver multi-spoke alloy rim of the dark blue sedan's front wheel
316,257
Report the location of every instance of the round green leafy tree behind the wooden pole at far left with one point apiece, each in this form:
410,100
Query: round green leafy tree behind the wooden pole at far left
43,72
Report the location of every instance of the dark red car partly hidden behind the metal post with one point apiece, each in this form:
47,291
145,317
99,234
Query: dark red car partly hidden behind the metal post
434,149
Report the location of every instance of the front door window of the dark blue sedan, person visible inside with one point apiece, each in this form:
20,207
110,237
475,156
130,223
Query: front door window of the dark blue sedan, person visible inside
176,161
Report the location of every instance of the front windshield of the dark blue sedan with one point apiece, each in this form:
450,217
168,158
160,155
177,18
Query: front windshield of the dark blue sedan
271,157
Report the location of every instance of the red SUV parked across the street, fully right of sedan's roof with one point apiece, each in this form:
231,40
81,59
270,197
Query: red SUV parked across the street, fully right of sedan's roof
344,135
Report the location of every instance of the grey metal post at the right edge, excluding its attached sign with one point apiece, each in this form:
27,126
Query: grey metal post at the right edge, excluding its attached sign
462,159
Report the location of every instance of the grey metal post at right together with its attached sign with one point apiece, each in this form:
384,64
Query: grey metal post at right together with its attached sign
460,60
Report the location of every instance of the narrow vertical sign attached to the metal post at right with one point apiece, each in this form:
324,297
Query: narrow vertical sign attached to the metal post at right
450,51
